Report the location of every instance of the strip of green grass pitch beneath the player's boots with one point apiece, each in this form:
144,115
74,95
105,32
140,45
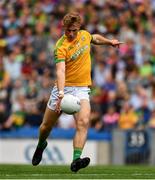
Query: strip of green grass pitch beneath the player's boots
63,172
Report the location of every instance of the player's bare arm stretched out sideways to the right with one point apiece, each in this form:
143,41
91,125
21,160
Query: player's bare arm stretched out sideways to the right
100,40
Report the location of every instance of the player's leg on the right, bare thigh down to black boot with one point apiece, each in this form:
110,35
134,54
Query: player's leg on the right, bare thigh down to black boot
82,125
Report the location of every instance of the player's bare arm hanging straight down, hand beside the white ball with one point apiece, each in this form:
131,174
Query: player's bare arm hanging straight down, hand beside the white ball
60,73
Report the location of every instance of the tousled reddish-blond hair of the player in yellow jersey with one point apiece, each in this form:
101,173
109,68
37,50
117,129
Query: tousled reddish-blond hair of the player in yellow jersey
71,18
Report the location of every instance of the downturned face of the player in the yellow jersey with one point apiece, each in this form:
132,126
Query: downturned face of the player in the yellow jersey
71,32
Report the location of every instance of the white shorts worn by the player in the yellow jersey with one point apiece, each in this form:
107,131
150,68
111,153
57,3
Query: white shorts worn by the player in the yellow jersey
80,92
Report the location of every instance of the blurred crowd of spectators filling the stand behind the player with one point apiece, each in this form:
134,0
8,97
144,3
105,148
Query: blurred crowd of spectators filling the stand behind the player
123,90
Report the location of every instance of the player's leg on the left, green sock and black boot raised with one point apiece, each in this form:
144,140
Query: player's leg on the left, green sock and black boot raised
49,120
